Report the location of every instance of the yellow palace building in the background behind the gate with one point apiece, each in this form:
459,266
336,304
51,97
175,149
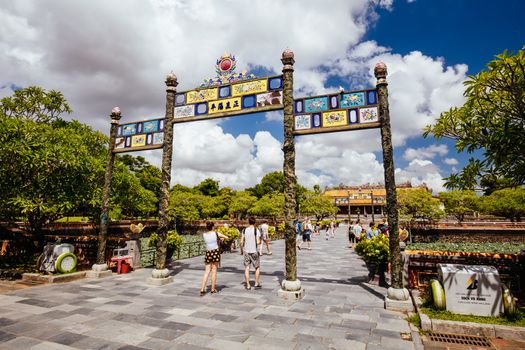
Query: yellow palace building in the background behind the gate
361,200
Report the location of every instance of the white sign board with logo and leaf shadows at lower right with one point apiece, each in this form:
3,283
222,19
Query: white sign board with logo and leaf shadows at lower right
471,289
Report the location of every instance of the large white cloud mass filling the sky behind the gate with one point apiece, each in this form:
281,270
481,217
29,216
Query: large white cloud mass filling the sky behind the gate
102,54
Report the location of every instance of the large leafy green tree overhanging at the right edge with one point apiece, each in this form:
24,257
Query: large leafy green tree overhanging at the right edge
491,120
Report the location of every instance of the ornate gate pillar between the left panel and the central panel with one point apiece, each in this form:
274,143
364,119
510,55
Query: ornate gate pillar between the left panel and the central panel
160,275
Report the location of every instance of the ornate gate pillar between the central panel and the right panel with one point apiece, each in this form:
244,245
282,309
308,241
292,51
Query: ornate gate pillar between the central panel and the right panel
291,286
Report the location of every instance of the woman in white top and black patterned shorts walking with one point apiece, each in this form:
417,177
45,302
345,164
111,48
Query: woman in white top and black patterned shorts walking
212,258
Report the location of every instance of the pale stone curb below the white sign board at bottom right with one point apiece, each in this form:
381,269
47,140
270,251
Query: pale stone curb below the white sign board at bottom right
471,328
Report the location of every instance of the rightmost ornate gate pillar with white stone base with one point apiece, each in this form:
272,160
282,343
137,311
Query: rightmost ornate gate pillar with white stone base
397,295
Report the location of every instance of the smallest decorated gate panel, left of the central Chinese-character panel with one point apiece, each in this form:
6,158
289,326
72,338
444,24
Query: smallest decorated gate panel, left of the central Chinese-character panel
148,134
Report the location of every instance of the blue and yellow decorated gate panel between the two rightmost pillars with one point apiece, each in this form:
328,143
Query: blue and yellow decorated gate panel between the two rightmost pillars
336,112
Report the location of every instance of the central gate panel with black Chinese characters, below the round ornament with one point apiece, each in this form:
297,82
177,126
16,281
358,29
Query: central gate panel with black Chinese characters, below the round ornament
257,95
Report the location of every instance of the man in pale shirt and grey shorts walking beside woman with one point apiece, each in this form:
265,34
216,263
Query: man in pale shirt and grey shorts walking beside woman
250,239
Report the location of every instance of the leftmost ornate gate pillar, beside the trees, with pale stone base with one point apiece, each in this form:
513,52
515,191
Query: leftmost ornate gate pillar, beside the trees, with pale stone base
100,268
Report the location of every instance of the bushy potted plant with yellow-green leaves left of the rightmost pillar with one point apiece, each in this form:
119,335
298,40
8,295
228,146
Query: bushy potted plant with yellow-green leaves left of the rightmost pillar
376,253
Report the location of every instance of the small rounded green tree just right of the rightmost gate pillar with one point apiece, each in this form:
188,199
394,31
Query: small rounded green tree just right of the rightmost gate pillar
418,203
